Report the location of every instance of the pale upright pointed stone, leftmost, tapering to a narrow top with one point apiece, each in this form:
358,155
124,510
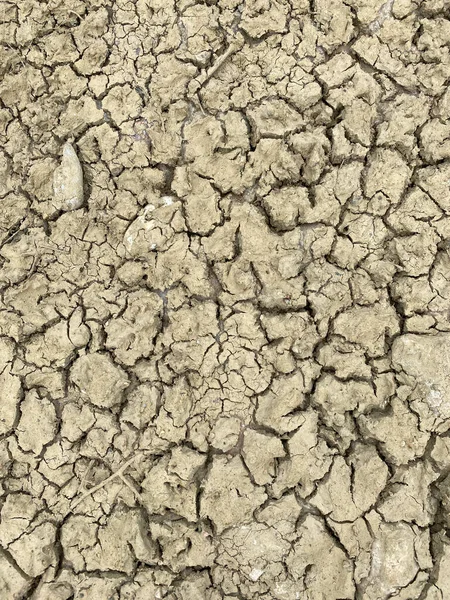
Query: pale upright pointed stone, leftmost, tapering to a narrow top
68,181
